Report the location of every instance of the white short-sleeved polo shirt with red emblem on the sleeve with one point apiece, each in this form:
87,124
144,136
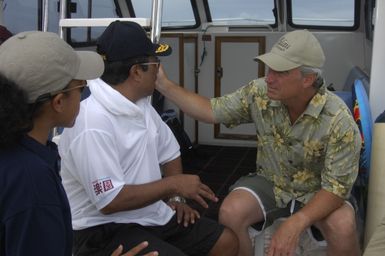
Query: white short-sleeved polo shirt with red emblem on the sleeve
114,142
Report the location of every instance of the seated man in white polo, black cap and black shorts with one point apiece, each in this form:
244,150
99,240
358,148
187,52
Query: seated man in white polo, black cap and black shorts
111,162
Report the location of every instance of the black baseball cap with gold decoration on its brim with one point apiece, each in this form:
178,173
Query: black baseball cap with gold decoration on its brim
123,40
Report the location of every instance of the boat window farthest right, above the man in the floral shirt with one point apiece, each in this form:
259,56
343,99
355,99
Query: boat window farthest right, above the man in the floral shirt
327,13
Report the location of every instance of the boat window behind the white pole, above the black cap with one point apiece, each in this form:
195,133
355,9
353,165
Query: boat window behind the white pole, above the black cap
176,13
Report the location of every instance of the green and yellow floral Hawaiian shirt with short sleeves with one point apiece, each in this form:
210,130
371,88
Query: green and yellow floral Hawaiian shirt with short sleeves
320,149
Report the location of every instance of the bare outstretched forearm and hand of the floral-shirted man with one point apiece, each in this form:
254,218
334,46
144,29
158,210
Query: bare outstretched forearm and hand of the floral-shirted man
196,106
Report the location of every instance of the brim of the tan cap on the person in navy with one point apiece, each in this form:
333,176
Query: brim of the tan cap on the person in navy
91,65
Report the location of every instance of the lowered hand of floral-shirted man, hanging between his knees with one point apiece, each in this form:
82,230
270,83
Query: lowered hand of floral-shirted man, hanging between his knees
286,237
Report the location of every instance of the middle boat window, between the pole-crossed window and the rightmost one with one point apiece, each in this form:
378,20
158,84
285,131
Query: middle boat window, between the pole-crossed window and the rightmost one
241,12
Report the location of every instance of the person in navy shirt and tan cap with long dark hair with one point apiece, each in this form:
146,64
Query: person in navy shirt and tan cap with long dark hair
41,79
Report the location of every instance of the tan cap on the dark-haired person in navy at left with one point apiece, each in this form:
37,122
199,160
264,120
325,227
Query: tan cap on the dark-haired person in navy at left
41,62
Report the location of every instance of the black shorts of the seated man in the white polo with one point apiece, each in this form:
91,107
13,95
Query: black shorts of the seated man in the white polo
172,239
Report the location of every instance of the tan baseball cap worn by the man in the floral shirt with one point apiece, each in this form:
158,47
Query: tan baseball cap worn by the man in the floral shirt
294,49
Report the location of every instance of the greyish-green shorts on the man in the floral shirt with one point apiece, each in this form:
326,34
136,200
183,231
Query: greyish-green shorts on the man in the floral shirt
262,189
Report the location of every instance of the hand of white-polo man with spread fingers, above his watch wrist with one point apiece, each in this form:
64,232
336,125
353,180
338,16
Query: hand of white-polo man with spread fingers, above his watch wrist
190,186
